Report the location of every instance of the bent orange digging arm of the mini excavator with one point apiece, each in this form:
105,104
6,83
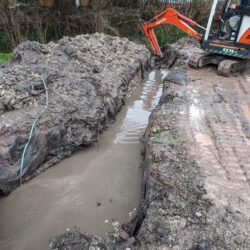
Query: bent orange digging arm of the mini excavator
172,17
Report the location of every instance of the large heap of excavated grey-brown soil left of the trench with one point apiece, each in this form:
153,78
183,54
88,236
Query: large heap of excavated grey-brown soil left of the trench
87,79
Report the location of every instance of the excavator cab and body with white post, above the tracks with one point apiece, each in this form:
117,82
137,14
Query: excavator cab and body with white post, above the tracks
236,43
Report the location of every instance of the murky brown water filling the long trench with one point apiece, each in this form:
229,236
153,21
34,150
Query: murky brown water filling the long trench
91,189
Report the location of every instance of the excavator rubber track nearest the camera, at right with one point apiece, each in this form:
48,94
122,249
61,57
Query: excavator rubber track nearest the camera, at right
228,67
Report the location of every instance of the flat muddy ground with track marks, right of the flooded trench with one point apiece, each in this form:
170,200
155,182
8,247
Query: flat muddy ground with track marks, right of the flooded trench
197,148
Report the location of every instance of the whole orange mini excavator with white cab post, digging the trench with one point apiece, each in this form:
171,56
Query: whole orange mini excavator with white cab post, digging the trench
228,47
